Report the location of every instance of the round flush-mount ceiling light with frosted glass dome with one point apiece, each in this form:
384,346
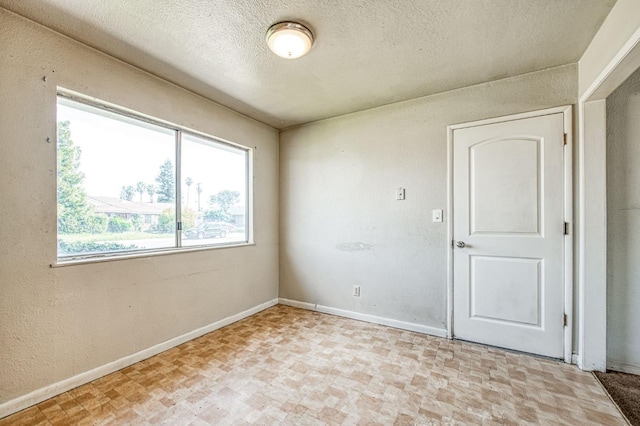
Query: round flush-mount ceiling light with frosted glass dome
289,39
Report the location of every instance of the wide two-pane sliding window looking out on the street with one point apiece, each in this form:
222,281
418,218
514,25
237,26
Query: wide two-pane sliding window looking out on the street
129,184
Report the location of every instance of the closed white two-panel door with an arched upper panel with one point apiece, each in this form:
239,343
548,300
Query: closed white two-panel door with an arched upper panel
508,230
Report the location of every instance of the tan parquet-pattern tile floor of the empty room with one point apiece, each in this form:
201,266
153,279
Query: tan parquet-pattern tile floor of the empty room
288,366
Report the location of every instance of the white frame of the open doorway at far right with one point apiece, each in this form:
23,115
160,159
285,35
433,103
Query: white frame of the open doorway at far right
592,167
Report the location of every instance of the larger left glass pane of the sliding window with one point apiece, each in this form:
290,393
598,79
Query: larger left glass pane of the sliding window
116,182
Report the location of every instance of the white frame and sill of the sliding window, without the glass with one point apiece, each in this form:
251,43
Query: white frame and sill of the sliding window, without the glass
178,133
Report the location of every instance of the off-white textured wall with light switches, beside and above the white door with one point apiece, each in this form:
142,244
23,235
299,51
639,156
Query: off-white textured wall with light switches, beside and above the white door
340,222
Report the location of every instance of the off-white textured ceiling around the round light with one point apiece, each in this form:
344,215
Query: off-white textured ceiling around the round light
367,53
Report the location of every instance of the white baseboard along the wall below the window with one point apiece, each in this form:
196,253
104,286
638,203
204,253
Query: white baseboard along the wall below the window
42,394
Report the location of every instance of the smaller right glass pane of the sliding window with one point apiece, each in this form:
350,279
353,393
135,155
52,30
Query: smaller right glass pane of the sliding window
214,192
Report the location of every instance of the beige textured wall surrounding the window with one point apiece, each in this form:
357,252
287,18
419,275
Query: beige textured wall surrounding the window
58,322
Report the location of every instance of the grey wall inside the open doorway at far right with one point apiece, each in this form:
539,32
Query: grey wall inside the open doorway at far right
623,226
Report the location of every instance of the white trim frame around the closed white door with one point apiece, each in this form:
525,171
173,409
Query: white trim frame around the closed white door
567,112
